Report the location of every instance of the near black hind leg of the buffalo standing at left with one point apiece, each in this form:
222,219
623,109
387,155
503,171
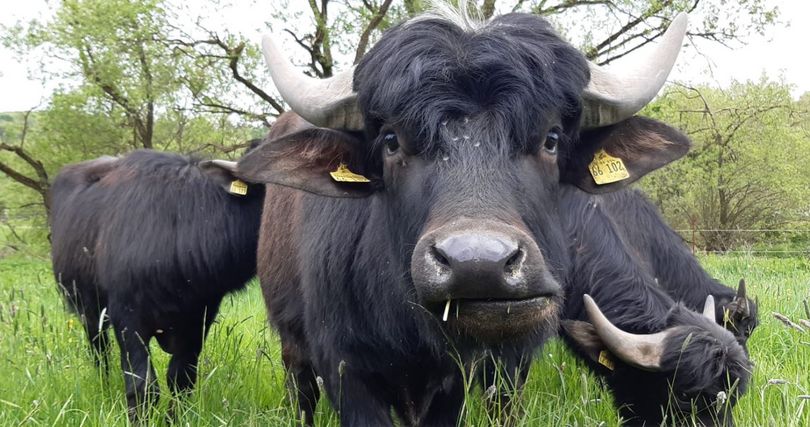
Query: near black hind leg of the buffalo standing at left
140,381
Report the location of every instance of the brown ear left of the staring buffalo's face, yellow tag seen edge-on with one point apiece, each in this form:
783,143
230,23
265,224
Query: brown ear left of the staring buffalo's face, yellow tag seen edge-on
306,159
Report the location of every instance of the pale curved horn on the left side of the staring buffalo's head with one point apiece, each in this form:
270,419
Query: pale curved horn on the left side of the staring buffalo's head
327,103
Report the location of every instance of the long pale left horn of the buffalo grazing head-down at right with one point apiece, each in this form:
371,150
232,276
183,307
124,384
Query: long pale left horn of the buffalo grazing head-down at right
642,351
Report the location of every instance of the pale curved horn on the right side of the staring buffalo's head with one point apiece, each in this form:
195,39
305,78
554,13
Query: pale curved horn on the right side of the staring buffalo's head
613,95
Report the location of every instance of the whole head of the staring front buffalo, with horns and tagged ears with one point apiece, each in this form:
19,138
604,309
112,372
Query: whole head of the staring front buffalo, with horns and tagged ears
460,136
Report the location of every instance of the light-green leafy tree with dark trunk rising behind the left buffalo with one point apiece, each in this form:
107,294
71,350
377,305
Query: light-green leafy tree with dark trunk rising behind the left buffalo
135,55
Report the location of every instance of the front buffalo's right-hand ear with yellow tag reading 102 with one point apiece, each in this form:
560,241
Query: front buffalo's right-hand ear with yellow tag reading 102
641,144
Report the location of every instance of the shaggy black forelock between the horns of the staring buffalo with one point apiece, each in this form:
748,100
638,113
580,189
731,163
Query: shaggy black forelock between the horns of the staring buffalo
514,68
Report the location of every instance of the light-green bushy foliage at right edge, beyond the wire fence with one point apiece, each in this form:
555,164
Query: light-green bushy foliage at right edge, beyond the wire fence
746,168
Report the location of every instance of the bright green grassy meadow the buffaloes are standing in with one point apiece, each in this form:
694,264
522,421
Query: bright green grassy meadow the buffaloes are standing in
47,376
